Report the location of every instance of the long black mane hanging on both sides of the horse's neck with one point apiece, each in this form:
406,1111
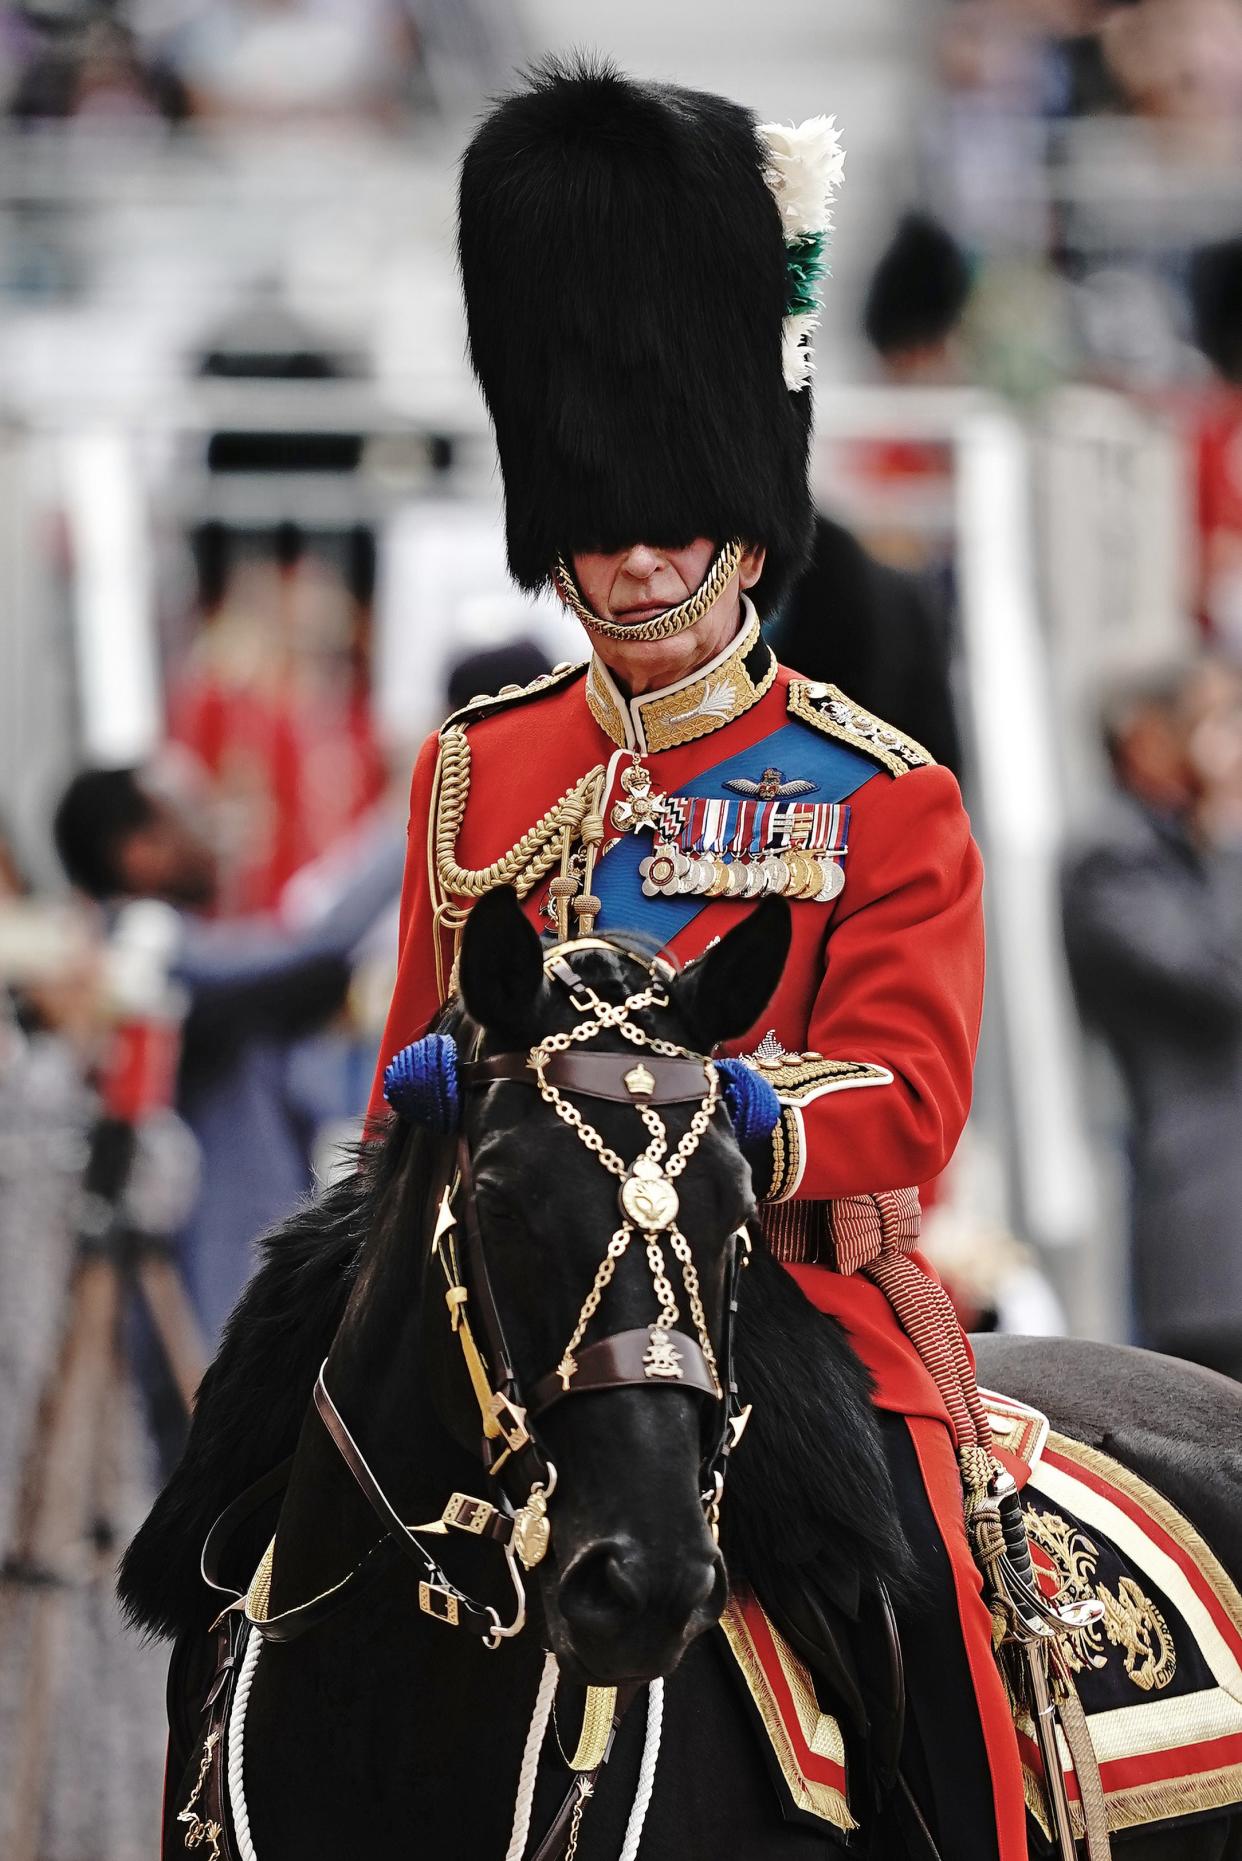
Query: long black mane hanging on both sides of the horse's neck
807,1488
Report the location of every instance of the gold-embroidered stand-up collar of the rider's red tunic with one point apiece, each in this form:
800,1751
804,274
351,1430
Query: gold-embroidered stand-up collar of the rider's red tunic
710,699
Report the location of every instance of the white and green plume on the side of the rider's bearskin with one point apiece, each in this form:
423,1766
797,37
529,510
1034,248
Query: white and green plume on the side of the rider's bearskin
805,167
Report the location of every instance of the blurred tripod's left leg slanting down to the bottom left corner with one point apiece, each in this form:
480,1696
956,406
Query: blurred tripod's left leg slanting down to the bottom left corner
49,1544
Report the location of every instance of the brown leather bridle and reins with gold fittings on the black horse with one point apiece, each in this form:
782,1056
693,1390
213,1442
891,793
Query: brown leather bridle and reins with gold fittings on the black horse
658,1356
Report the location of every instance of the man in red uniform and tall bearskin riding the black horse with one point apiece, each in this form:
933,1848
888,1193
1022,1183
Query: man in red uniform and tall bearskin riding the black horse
641,273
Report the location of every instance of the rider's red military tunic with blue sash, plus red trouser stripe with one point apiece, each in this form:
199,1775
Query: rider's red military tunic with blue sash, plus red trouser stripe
872,1032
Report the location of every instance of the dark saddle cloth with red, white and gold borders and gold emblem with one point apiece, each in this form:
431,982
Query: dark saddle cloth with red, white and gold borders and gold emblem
1159,1678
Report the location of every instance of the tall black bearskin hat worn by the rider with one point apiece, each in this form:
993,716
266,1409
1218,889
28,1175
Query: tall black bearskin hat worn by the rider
625,273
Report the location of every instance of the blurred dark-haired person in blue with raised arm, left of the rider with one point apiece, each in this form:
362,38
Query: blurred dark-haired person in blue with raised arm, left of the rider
252,989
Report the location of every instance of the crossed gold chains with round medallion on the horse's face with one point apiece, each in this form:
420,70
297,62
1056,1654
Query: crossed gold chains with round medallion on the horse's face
653,1201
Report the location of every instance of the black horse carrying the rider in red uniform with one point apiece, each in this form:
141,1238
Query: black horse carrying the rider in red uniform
385,1732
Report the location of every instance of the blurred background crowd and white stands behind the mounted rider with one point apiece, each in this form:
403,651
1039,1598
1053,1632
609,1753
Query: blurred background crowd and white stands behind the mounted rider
250,556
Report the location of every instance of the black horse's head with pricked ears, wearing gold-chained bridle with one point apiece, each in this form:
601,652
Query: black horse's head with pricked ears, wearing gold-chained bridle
614,1294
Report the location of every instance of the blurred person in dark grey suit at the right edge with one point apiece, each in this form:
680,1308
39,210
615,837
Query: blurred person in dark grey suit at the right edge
1154,931
